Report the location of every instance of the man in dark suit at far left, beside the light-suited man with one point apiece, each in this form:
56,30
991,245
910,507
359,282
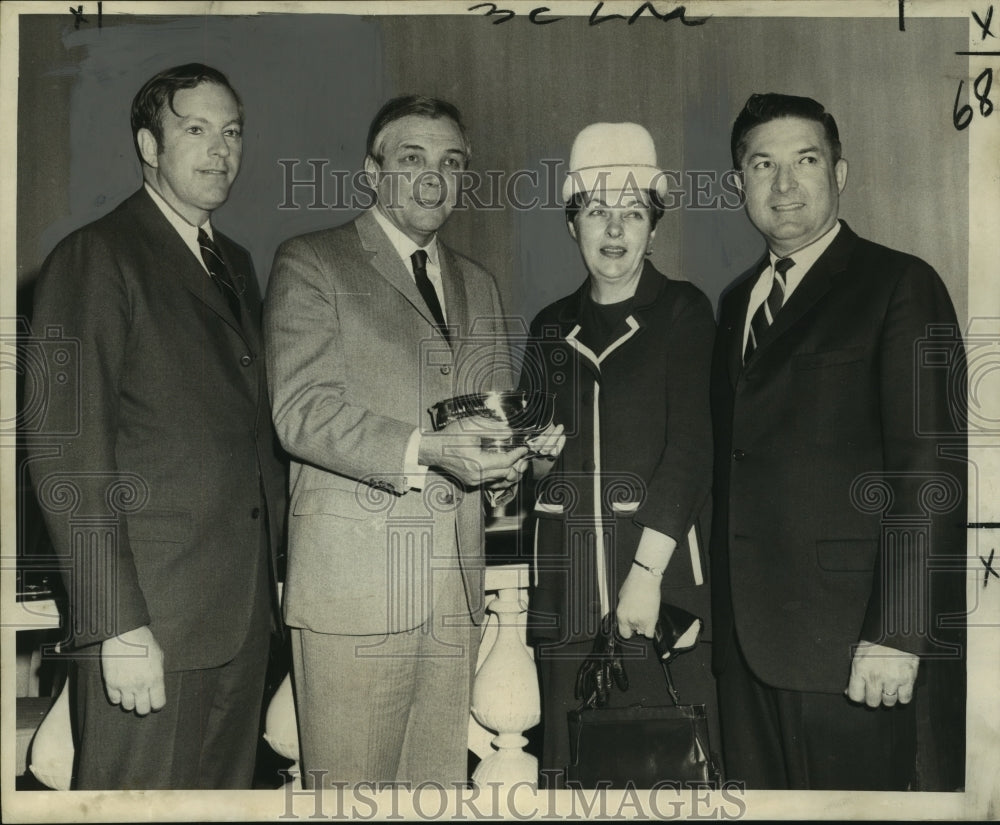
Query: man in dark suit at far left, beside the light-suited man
166,505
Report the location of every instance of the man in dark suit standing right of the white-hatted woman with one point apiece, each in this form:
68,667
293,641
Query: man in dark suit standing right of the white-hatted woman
837,546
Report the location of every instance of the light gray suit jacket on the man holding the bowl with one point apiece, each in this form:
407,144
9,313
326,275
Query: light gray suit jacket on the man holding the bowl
354,363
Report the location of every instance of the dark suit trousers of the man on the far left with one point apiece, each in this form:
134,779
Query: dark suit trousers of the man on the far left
204,738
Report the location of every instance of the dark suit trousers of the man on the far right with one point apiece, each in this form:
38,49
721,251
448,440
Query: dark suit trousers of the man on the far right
777,739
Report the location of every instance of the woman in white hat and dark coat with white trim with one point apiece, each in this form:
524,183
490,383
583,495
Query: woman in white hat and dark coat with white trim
622,514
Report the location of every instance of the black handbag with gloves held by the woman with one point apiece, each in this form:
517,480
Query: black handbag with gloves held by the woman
639,747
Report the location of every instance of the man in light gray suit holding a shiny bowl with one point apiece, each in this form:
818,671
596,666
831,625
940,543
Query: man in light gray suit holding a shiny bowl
367,325
